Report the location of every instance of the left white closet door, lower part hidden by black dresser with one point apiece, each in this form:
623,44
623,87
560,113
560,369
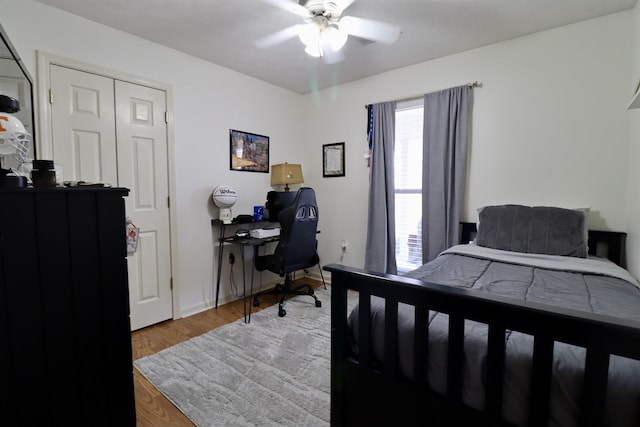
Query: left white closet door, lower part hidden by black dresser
83,125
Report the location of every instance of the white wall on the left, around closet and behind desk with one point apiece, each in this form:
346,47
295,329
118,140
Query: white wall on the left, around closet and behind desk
208,101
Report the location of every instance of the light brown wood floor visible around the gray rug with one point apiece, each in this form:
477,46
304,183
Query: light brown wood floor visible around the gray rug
152,408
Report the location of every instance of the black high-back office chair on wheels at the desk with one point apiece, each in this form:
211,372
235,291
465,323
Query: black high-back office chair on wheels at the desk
296,250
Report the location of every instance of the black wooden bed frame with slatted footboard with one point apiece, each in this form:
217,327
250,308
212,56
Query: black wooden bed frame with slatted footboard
364,393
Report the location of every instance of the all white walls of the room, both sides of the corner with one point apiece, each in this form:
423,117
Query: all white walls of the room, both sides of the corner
550,126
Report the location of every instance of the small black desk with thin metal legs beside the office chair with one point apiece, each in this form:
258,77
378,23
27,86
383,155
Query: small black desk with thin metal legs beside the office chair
243,242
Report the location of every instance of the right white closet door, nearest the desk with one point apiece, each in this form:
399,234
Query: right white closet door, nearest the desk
142,167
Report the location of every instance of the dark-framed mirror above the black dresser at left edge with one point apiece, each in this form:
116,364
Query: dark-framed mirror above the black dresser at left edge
16,82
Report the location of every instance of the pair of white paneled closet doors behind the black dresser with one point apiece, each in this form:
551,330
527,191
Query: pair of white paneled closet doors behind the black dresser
113,132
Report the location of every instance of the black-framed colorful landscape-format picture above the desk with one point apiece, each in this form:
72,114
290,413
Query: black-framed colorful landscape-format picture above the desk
248,151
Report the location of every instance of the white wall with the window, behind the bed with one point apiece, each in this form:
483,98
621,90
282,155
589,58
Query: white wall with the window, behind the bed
549,127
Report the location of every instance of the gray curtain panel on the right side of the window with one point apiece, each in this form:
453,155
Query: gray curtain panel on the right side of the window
444,168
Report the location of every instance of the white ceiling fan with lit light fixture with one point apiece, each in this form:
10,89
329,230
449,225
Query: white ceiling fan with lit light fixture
325,30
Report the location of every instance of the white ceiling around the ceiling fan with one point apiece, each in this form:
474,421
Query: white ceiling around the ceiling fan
225,31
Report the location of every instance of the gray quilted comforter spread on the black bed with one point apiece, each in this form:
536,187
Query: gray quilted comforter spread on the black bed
592,285
